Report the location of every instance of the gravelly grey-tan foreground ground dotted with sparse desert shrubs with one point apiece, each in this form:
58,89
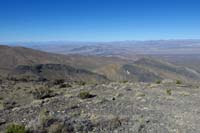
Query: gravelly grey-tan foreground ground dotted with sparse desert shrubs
124,107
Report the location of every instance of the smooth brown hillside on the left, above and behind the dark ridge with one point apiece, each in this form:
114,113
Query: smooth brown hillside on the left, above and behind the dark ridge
14,56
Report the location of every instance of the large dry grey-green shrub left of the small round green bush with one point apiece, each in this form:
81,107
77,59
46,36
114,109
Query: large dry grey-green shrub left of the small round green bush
42,93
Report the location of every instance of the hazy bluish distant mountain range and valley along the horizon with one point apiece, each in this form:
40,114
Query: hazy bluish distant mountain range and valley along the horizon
123,49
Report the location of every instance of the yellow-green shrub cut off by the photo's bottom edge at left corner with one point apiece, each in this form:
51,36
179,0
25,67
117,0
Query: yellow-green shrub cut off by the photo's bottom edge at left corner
16,128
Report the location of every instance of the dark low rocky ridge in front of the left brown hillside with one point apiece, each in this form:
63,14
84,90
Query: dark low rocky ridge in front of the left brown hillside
43,72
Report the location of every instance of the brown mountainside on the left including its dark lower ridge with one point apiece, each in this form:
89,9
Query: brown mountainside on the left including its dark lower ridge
23,63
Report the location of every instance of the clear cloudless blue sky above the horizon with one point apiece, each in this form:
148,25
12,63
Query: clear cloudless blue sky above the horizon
98,20
